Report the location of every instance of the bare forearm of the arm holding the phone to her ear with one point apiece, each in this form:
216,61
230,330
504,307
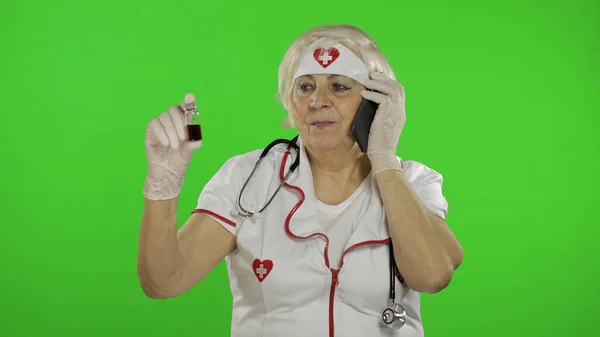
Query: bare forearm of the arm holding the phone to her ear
425,251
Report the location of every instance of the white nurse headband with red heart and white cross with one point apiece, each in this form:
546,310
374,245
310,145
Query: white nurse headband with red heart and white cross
337,60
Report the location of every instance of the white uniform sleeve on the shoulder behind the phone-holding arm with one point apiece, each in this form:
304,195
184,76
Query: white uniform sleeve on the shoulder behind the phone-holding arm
427,183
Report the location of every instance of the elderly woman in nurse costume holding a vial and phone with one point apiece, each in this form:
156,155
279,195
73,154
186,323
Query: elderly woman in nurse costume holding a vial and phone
318,259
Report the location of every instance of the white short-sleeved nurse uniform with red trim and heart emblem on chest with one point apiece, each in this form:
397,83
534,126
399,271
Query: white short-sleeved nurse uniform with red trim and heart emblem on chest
303,268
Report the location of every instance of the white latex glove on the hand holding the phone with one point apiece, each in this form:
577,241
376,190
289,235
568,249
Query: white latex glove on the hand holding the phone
387,124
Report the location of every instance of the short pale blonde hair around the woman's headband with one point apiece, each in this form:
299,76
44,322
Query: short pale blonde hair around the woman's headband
326,36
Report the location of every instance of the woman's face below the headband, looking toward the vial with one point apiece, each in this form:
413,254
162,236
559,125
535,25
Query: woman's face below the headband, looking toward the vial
324,108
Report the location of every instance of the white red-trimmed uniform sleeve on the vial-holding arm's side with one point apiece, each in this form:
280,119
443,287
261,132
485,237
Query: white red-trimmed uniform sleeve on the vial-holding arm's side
219,196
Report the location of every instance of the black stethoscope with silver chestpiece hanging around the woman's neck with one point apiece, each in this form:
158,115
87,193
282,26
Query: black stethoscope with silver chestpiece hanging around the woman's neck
394,316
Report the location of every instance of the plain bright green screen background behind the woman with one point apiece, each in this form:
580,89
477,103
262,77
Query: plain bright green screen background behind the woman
502,99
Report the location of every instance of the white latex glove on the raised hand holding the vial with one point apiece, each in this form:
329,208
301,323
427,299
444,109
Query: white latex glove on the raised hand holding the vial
169,153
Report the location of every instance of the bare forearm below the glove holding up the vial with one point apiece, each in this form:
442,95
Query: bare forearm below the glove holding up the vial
159,258
